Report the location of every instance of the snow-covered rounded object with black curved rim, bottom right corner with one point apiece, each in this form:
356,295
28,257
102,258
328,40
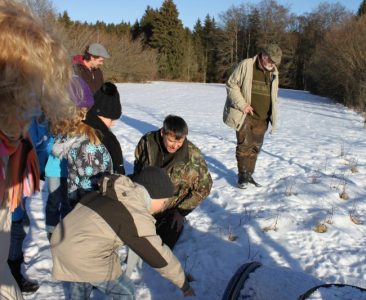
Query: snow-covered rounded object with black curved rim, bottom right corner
255,281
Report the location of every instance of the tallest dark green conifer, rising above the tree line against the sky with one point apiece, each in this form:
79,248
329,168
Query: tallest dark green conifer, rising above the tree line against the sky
168,38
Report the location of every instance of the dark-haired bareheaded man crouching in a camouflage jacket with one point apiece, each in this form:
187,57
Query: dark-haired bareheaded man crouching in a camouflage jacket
169,149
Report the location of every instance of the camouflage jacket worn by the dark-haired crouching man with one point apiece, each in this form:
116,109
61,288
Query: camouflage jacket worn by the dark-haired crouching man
188,171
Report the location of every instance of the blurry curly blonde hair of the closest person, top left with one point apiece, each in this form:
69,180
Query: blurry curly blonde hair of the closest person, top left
34,70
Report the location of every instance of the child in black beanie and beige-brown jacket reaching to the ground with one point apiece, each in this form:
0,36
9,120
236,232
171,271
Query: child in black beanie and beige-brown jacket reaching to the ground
85,243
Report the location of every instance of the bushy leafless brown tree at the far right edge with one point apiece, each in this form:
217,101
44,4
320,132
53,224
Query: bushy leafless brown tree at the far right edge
339,62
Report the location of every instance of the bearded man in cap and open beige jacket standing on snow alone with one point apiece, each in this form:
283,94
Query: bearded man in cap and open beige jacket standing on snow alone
251,104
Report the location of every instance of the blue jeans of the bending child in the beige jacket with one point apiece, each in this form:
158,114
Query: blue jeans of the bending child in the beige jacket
120,289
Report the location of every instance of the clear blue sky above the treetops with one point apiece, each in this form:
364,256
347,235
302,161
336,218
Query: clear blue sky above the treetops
115,11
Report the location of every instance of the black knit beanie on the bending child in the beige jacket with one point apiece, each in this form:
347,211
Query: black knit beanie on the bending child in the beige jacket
156,181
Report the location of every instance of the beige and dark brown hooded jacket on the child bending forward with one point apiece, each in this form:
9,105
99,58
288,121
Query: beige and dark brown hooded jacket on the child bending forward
85,244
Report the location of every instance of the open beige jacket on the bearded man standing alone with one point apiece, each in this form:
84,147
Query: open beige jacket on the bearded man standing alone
239,94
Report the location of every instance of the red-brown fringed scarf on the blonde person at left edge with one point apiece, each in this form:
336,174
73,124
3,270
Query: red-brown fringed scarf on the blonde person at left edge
20,177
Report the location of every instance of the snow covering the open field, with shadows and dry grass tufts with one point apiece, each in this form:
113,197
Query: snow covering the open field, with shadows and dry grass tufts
318,152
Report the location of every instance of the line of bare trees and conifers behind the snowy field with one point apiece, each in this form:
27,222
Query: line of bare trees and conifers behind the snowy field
323,51
